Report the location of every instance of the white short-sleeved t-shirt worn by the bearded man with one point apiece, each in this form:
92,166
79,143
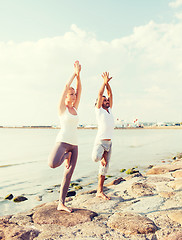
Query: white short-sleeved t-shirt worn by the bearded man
105,122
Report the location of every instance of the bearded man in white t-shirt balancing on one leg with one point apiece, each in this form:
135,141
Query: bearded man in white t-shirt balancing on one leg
103,143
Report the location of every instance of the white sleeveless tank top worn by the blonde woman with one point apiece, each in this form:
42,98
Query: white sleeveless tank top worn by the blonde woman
68,132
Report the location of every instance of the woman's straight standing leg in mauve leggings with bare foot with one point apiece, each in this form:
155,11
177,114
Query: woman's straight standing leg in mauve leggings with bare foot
67,178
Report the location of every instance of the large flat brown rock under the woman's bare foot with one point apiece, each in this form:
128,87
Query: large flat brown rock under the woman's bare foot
48,214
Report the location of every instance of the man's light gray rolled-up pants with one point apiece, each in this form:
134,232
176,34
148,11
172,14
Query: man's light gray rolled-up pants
97,154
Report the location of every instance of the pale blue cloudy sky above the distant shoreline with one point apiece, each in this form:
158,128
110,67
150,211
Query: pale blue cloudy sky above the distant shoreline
138,42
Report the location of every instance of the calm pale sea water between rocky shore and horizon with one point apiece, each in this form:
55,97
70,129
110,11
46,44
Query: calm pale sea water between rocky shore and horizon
24,153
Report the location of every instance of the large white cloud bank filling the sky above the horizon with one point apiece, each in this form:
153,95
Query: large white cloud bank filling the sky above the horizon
146,70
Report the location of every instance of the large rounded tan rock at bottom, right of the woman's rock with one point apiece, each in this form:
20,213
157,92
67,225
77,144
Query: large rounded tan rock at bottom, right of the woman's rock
130,223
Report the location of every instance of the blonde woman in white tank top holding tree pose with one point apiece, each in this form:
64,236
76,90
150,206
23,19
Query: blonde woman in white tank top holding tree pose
66,149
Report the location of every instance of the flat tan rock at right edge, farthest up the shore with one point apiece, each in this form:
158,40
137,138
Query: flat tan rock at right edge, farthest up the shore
164,169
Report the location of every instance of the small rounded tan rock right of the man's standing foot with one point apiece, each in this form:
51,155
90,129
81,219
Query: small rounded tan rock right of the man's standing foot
142,189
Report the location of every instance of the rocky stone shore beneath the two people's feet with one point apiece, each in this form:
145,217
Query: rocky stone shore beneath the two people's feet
142,206
